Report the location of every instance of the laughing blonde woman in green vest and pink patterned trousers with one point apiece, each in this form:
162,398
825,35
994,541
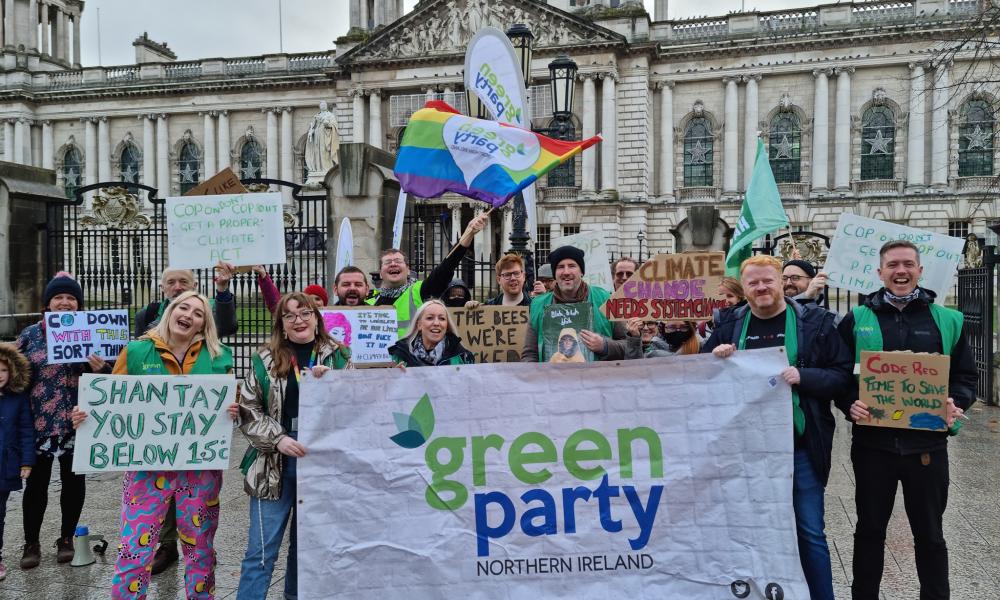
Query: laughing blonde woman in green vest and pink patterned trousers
185,342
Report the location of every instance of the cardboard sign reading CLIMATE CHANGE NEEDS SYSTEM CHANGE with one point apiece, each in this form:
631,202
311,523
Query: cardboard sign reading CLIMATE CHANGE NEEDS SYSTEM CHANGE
671,287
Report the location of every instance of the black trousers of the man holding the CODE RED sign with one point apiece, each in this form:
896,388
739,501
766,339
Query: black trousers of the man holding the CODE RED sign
925,496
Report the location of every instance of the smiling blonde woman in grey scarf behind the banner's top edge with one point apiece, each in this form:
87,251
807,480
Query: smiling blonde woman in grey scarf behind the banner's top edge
432,341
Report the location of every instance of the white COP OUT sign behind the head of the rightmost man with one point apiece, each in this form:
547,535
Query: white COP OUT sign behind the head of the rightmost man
853,260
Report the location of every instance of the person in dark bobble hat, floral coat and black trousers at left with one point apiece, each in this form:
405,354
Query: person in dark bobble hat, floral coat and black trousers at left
52,393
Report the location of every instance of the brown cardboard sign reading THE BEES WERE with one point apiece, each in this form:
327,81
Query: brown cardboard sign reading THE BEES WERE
492,333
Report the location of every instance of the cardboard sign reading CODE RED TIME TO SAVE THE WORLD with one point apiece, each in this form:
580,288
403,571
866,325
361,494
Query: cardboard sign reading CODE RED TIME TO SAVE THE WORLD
905,390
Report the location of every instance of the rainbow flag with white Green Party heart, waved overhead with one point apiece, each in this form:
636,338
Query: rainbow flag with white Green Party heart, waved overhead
444,151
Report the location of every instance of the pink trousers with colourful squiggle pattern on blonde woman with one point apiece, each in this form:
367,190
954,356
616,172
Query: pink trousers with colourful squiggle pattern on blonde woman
144,506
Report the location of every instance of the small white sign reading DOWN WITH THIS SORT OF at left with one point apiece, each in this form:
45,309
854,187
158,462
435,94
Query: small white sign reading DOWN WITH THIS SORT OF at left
70,337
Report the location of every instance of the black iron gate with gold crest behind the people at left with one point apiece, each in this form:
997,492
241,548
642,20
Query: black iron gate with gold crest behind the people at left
118,250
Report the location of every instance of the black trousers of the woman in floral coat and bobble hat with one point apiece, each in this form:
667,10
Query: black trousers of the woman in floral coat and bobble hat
36,496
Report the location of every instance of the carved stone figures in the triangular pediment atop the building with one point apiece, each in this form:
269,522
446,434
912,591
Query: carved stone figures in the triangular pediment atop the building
446,27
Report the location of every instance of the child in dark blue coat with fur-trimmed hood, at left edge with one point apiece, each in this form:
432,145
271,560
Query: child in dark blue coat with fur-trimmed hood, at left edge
17,433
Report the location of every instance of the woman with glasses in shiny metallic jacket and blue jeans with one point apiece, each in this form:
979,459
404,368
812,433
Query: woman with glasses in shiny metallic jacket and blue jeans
269,415
